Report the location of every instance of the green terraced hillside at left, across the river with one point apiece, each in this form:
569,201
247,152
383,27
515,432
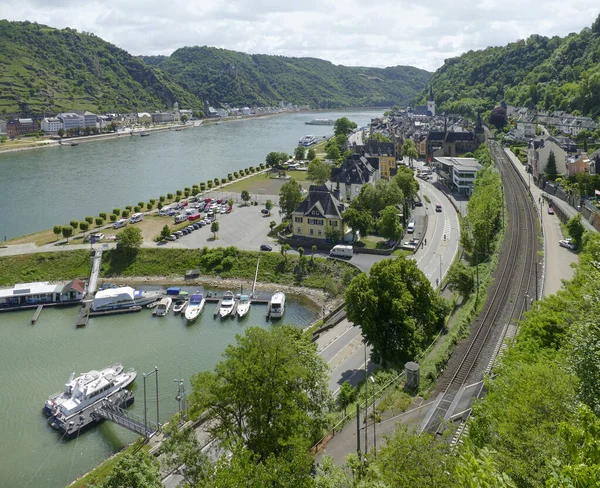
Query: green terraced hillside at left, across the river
51,70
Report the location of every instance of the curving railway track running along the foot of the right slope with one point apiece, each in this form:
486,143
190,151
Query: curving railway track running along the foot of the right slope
508,298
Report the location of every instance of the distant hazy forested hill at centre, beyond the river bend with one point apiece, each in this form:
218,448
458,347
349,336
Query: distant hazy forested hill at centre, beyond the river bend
223,76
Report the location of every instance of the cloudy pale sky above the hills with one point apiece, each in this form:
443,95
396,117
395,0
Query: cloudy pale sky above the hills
376,33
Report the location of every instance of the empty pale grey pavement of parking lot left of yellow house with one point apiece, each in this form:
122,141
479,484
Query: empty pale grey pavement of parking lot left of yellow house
245,228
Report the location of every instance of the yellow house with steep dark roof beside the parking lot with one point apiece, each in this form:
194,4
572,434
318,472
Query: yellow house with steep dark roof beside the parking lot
318,215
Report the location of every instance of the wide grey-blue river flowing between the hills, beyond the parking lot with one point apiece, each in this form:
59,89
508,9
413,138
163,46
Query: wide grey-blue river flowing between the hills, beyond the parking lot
44,187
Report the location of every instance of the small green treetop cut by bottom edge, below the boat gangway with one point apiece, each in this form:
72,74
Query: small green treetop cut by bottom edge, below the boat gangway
138,470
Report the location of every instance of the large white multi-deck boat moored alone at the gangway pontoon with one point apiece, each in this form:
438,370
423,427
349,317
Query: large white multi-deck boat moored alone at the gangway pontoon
86,389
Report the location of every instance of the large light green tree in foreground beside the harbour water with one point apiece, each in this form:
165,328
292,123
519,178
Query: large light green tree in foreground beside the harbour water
269,392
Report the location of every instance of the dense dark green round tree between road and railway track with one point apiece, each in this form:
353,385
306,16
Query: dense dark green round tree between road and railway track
396,308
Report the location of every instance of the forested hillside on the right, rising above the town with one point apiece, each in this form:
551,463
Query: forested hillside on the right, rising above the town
550,73
